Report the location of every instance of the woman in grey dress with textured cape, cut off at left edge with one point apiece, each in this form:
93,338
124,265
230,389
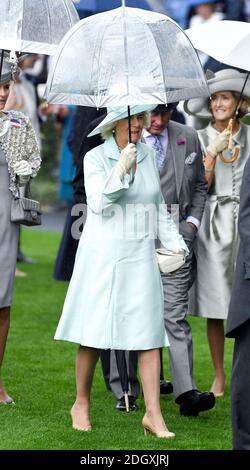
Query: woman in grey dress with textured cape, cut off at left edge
19,159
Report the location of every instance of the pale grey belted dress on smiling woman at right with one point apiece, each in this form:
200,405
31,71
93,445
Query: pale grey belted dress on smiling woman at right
217,240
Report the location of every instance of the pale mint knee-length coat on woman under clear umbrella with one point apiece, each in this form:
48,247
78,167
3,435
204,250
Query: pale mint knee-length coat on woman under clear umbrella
115,297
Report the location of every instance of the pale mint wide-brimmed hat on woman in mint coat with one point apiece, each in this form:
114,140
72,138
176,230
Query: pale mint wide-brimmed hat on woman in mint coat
115,114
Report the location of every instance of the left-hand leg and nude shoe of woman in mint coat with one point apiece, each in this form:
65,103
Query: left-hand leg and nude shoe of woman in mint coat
86,360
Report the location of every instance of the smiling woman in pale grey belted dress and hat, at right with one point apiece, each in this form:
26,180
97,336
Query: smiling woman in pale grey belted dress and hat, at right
218,240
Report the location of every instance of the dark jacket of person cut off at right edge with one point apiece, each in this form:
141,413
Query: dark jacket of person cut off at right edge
239,309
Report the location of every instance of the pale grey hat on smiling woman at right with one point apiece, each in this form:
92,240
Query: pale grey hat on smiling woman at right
224,80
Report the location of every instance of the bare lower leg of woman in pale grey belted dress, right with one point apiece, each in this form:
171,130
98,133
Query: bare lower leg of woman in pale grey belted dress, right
216,340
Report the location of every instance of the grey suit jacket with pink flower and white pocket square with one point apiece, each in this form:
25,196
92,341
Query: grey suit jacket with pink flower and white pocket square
190,183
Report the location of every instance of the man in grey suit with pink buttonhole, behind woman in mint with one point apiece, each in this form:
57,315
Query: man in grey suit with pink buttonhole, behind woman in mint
179,160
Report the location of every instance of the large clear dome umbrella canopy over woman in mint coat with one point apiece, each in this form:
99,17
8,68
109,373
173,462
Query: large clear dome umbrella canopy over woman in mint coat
125,57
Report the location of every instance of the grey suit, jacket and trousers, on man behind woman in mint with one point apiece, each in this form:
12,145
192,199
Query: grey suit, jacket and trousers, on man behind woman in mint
182,182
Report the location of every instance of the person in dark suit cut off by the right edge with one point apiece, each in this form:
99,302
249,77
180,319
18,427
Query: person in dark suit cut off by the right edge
238,324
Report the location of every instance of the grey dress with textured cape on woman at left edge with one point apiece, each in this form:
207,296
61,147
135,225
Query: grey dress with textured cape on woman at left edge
17,142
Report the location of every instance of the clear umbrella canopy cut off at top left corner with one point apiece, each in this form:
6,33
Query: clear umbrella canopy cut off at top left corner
35,26
